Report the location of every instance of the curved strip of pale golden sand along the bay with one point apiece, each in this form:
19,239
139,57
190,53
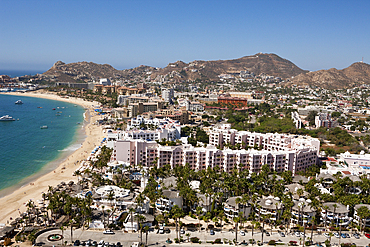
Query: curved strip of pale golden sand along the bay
14,204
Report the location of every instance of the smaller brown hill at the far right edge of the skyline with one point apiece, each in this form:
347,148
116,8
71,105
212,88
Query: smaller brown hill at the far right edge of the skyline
355,75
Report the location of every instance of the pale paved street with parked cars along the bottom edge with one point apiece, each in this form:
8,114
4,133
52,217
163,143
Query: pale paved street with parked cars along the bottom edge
154,238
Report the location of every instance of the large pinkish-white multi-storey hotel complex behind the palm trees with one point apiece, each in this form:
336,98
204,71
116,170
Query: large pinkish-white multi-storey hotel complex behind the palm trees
280,151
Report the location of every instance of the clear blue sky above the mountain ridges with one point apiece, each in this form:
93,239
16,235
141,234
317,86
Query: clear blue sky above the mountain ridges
312,34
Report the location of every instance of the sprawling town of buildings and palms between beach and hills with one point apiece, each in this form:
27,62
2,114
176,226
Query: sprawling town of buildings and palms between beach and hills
244,159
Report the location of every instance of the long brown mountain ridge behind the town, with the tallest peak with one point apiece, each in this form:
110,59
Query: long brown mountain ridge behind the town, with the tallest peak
269,64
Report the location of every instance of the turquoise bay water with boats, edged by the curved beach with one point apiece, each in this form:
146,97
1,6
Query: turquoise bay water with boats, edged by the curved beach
26,150
